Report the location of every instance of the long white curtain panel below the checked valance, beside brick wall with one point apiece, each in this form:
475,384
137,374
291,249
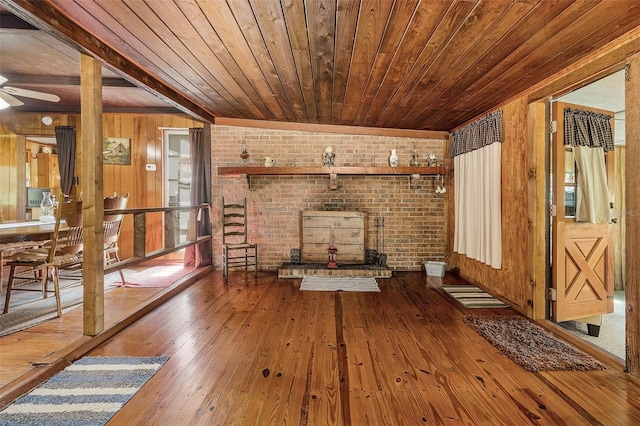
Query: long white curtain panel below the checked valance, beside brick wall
478,213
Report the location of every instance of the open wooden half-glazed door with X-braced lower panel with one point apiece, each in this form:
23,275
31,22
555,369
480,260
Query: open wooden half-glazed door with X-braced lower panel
582,253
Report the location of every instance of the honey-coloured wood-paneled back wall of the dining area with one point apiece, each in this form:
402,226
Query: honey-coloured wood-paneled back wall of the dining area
145,187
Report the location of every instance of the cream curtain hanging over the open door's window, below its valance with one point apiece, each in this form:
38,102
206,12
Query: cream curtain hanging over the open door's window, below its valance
592,193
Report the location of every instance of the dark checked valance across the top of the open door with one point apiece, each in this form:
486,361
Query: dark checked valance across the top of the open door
587,128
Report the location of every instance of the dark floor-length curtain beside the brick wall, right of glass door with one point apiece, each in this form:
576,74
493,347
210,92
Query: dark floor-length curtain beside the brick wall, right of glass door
200,254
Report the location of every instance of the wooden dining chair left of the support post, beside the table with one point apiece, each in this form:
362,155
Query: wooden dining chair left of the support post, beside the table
64,251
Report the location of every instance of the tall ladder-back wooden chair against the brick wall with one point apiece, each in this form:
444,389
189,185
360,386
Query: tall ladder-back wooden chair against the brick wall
236,250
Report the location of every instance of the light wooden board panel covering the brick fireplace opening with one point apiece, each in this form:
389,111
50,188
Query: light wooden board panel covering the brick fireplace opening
346,229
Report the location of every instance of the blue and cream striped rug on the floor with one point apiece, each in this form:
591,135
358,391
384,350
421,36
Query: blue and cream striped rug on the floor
88,392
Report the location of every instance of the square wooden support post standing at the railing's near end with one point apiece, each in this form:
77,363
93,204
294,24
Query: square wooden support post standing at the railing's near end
92,189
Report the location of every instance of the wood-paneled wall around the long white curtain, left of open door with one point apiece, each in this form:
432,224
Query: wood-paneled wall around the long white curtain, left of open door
512,281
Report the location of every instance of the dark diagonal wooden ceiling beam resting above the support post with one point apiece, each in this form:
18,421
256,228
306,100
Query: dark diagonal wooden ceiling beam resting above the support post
47,17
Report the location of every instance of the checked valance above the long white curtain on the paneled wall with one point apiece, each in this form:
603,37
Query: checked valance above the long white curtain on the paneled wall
480,133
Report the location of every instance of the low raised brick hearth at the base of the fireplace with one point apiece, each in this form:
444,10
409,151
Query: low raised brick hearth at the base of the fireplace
290,270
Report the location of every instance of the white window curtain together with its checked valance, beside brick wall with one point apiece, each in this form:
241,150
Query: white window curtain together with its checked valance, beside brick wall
477,188
